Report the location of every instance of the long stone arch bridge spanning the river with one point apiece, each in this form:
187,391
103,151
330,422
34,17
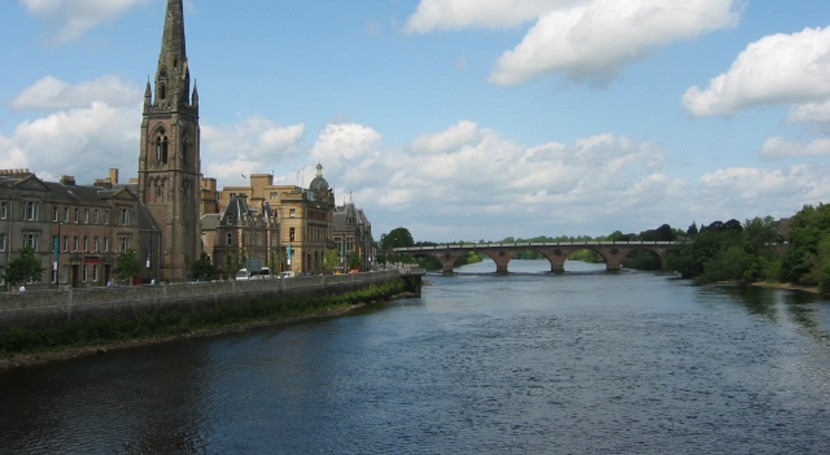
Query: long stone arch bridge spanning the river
557,252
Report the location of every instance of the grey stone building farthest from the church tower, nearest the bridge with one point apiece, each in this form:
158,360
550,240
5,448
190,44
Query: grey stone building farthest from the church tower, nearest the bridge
353,235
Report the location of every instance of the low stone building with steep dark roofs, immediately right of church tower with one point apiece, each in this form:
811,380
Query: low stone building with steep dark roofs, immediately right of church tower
243,237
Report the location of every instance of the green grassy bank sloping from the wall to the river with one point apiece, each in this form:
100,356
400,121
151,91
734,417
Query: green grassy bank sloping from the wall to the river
20,346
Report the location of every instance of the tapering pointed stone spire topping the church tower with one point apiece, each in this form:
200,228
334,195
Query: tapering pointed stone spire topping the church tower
173,74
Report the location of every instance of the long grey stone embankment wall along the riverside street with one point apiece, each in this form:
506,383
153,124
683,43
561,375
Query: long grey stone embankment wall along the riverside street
56,308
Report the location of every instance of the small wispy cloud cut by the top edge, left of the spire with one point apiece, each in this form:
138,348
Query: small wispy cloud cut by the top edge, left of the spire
73,18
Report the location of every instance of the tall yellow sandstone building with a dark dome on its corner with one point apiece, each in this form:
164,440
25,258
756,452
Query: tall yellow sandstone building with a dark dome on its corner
305,217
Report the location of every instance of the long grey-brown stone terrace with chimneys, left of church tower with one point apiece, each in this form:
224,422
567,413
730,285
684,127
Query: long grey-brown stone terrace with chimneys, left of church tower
76,231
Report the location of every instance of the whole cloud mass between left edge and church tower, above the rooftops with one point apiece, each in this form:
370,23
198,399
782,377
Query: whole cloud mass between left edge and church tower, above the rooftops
86,128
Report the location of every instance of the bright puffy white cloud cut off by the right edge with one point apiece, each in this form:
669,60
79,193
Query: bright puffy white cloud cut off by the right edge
777,69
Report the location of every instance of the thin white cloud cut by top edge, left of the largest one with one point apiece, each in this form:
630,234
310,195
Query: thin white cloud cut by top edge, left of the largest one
434,15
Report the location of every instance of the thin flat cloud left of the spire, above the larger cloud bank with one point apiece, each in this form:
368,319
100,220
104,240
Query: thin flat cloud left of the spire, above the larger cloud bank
50,93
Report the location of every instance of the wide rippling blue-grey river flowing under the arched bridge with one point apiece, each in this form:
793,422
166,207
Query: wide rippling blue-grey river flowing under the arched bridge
529,363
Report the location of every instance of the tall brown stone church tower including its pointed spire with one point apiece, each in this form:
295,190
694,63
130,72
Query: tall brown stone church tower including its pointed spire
169,166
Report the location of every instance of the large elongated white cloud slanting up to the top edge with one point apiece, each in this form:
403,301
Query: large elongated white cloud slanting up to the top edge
594,40
